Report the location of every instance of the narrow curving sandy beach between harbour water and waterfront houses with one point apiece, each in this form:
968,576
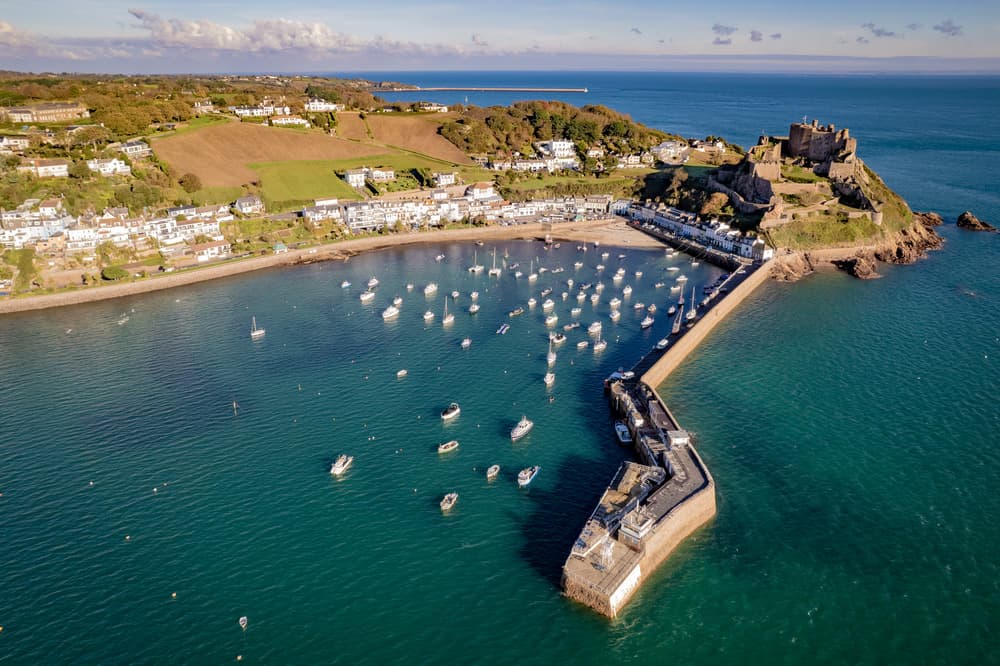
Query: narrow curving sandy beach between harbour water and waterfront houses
612,232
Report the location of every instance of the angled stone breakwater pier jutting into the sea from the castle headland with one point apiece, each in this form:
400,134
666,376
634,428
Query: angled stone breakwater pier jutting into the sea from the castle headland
649,506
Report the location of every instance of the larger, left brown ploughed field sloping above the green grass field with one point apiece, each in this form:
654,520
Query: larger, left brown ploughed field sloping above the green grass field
219,155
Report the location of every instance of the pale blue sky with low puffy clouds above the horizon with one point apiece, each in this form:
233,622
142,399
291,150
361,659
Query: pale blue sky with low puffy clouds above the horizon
205,36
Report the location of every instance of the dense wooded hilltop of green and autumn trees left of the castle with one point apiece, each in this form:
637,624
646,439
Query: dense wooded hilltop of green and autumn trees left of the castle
503,130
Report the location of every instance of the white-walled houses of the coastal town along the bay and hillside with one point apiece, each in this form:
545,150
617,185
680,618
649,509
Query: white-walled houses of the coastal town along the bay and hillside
133,239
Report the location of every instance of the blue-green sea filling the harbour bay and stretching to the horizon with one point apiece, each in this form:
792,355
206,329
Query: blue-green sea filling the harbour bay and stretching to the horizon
162,475
